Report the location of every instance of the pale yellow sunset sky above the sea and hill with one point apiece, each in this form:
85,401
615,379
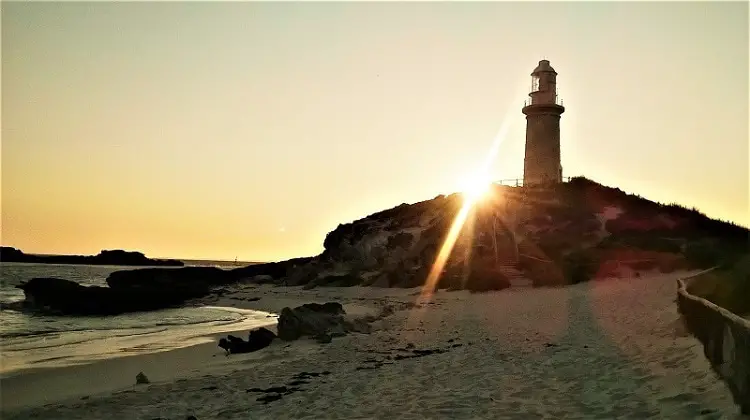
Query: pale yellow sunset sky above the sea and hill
250,130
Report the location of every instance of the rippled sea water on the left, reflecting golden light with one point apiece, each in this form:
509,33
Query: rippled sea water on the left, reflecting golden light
39,341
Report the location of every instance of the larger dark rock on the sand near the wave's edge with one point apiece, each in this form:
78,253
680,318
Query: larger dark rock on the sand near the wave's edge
317,321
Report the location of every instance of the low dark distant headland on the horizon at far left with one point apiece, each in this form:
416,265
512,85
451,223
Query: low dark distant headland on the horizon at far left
105,257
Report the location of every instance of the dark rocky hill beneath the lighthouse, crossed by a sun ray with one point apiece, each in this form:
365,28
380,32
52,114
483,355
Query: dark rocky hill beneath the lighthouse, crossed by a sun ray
557,235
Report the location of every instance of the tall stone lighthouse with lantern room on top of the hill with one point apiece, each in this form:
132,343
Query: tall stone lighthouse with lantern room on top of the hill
541,164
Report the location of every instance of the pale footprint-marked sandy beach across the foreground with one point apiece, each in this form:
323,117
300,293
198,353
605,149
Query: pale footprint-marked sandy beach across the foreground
606,349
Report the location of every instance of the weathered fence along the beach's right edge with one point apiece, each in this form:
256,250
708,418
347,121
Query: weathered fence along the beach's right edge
725,338
